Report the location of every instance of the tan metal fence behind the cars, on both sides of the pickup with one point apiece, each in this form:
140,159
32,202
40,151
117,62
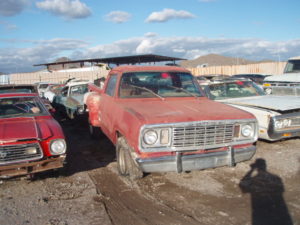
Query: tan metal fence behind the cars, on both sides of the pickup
272,68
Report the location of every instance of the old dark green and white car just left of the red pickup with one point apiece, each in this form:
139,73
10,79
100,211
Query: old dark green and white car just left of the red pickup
70,99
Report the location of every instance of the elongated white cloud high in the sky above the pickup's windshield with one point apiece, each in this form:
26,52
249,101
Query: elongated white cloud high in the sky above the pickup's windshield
168,14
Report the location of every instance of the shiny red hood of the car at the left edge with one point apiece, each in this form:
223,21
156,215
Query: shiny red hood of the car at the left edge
16,129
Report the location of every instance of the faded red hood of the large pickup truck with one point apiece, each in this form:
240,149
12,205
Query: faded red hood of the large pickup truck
183,110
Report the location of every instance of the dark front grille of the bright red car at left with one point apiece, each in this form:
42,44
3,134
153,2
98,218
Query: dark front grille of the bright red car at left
20,153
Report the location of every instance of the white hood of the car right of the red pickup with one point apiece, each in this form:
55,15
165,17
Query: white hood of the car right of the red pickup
271,102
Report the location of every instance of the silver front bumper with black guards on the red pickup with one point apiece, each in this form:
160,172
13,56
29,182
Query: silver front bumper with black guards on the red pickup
180,162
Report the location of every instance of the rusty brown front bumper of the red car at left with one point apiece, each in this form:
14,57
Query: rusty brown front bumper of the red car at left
31,167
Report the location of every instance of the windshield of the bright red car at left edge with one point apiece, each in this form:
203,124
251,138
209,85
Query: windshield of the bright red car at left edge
20,107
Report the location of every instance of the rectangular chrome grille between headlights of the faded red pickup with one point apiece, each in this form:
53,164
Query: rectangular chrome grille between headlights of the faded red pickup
203,135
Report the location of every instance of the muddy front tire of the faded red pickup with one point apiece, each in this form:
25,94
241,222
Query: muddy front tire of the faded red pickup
125,163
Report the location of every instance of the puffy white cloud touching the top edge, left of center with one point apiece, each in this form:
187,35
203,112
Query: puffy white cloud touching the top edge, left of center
70,9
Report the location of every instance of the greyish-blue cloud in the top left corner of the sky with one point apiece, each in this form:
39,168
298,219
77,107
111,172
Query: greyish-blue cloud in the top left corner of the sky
12,7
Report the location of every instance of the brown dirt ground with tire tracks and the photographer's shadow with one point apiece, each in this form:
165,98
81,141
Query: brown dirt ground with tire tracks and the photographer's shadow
90,191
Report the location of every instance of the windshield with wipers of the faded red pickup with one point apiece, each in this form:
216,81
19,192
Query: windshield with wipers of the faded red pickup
158,84
